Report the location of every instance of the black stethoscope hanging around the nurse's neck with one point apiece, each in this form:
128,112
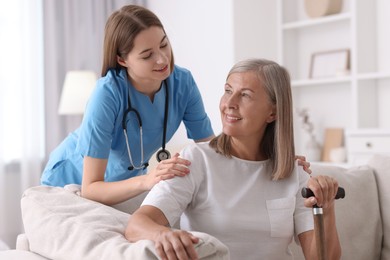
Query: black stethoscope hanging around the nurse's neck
162,154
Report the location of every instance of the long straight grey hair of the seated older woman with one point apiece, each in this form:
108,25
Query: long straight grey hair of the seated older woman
278,140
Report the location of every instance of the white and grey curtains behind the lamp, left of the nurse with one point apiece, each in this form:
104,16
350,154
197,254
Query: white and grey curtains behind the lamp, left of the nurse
40,41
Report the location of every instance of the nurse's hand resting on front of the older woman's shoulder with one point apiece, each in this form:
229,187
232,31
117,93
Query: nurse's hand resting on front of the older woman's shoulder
167,169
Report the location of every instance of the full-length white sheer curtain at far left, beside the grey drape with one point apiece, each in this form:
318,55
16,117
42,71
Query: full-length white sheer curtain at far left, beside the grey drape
21,108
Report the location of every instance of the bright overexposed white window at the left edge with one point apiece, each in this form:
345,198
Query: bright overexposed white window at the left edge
21,79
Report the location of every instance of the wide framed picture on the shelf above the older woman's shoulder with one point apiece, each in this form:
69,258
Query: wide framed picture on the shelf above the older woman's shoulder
329,64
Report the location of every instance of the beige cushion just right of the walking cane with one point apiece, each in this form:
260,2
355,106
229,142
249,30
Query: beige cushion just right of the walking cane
358,216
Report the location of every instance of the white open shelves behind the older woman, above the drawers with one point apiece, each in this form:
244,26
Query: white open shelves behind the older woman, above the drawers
357,100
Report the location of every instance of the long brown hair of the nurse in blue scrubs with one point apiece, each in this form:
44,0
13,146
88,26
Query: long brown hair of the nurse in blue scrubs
121,29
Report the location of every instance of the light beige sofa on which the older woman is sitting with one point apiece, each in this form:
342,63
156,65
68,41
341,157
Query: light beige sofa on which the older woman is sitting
59,224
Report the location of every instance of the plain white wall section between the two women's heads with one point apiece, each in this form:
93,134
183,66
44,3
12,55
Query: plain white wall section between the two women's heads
202,39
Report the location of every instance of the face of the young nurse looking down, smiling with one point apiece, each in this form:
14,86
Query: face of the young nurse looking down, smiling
148,63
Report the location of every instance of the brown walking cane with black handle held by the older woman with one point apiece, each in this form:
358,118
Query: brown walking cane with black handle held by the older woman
319,221
